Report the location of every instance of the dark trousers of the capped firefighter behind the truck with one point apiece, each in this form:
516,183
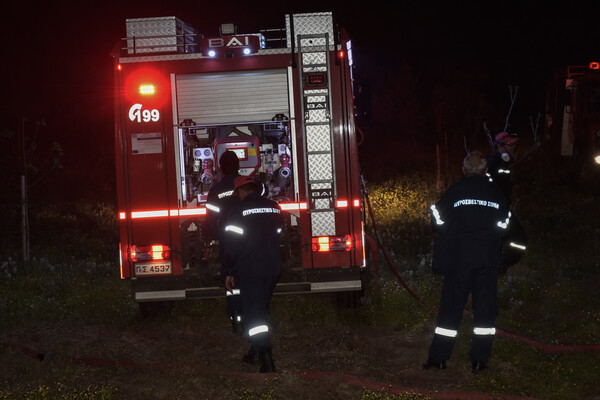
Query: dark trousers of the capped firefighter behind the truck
256,295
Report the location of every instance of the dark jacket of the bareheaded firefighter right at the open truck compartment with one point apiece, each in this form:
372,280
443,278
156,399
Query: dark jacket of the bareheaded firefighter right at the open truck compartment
219,203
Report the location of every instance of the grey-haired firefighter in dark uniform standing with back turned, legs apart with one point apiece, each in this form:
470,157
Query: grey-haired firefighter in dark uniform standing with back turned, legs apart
471,218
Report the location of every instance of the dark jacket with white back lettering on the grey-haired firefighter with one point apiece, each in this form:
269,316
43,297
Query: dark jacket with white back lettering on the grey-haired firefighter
471,218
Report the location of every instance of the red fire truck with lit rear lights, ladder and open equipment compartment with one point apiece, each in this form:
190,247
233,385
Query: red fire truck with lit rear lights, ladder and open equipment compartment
282,100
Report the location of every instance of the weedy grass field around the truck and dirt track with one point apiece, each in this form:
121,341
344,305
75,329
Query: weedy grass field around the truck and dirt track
550,296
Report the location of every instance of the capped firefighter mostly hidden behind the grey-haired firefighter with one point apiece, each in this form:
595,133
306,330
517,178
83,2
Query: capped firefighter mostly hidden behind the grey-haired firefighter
499,163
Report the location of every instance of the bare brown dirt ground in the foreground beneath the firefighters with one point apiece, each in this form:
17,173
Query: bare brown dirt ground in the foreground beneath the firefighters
196,356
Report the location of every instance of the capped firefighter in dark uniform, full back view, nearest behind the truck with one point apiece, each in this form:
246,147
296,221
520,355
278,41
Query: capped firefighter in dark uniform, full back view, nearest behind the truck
254,262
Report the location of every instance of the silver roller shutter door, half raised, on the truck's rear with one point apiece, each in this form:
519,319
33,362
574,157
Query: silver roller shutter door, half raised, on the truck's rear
229,98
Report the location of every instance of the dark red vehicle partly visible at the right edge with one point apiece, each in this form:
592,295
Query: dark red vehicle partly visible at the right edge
573,111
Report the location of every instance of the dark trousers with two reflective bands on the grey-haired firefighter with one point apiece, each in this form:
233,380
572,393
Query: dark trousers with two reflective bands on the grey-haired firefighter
482,284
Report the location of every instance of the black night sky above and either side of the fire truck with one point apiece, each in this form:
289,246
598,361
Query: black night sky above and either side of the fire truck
56,63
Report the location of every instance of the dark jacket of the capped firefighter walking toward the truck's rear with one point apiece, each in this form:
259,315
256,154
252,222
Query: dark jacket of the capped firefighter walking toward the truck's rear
252,237
